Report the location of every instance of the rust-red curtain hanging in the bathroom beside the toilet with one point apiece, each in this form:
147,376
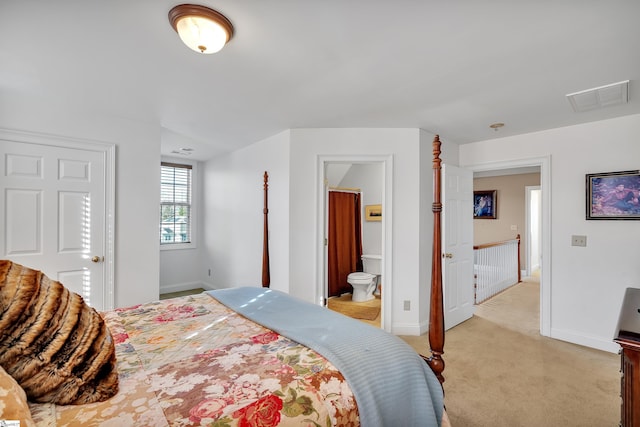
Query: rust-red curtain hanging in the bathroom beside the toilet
344,241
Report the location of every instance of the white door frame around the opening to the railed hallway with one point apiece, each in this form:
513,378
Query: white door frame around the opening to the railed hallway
545,245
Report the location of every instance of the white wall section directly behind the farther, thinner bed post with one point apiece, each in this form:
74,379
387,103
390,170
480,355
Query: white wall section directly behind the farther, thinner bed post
232,236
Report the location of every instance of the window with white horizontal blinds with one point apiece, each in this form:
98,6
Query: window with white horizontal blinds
175,203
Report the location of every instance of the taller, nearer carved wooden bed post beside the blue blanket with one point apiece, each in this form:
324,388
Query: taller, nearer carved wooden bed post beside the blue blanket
436,314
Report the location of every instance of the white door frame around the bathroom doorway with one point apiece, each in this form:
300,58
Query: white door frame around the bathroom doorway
387,237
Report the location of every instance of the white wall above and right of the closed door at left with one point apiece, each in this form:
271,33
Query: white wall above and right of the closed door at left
137,197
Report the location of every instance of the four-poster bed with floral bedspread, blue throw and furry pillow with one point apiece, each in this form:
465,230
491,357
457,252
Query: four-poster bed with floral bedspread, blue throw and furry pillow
231,357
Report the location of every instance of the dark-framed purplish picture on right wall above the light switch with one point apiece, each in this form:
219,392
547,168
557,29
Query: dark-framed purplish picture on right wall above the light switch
613,195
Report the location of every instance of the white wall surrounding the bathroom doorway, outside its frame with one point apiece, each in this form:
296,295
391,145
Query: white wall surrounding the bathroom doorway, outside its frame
403,144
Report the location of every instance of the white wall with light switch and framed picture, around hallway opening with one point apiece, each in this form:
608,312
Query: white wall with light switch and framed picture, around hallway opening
587,283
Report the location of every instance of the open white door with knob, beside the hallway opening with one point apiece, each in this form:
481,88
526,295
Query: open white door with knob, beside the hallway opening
457,245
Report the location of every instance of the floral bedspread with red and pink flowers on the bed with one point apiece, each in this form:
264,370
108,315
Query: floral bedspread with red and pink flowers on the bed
191,361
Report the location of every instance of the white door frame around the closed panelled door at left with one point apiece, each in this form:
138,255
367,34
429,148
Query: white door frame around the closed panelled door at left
108,152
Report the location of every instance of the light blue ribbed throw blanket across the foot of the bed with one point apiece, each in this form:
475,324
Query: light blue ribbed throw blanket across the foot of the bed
391,383
